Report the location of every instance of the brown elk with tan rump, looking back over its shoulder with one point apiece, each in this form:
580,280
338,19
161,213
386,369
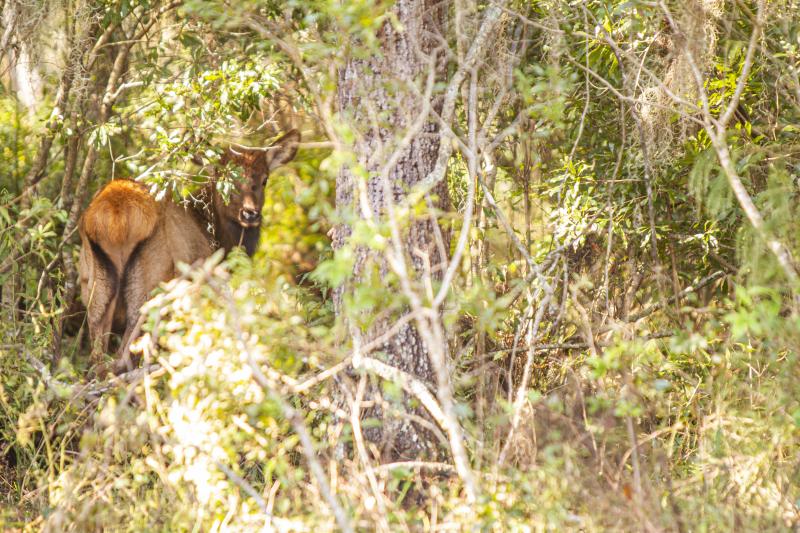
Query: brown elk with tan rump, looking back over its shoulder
130,242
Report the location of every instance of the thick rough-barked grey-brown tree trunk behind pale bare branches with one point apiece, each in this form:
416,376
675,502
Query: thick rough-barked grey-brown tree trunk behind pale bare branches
376,99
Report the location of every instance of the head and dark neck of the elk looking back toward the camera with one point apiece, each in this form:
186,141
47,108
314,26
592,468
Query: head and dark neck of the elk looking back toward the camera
238,222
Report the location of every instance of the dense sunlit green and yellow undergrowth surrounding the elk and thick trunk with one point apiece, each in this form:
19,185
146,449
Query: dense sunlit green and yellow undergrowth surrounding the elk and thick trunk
659,390
